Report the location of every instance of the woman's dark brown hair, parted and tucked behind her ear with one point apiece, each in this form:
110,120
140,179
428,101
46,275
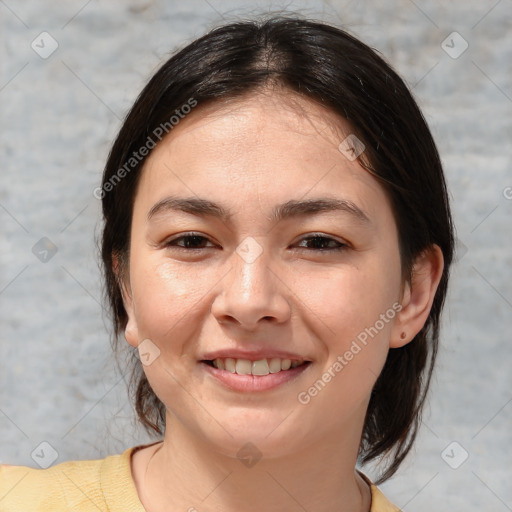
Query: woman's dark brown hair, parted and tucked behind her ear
330,67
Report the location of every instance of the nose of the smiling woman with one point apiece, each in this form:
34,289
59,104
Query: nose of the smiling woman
252,292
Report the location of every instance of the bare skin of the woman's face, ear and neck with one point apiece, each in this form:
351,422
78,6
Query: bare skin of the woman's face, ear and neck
250,155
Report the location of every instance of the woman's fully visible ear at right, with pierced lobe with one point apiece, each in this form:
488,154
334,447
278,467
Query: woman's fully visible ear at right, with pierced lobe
418,296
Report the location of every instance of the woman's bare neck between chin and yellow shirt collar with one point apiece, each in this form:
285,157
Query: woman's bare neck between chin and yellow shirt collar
188,474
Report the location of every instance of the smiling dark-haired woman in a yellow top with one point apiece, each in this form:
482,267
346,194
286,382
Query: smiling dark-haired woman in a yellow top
277,242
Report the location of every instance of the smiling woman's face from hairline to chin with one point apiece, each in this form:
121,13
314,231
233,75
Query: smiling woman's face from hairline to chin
239,253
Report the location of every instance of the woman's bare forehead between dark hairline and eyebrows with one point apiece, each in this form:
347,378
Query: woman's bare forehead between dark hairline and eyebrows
266,148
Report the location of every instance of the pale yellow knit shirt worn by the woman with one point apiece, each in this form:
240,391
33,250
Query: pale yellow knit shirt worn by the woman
104,485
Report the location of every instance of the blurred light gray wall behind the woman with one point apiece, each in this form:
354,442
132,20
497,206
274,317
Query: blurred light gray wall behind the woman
58,379
